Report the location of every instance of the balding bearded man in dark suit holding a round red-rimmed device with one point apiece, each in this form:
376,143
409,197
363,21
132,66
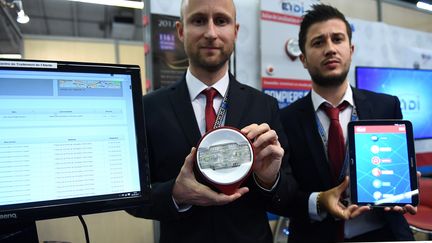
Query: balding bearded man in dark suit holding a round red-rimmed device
189,211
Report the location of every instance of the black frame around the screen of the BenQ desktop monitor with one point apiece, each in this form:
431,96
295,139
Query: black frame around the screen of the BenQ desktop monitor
88,205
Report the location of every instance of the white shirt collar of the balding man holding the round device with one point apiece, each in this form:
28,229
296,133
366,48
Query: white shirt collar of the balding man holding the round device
195,86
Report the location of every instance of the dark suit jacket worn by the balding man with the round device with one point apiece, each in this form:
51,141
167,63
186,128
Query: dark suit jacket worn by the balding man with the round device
172,131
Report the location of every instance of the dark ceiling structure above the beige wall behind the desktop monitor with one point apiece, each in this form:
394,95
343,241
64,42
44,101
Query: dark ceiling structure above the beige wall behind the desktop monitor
68,19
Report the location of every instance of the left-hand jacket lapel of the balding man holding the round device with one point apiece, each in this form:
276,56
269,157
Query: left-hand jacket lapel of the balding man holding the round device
182,106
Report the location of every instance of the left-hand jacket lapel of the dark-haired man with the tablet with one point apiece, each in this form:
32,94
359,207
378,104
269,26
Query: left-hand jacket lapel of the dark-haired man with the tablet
309,126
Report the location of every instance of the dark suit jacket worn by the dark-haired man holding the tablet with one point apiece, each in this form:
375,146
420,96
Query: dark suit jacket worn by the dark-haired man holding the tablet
312,170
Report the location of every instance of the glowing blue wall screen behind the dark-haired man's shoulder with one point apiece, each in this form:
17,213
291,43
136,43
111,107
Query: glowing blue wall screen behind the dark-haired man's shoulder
411,86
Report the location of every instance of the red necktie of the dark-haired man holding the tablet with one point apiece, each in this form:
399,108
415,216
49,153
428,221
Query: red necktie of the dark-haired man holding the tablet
336,152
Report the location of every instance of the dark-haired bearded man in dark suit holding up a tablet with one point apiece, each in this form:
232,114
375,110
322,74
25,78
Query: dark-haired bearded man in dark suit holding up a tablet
325,42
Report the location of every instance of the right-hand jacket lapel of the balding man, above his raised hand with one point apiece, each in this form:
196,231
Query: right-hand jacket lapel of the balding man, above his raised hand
237,103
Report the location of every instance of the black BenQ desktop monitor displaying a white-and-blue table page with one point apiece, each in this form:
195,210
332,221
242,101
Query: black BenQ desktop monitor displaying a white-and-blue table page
72,139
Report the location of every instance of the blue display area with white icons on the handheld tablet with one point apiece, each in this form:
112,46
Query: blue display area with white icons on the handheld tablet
382,166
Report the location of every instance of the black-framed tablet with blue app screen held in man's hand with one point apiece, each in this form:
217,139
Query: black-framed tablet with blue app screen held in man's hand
382,163
